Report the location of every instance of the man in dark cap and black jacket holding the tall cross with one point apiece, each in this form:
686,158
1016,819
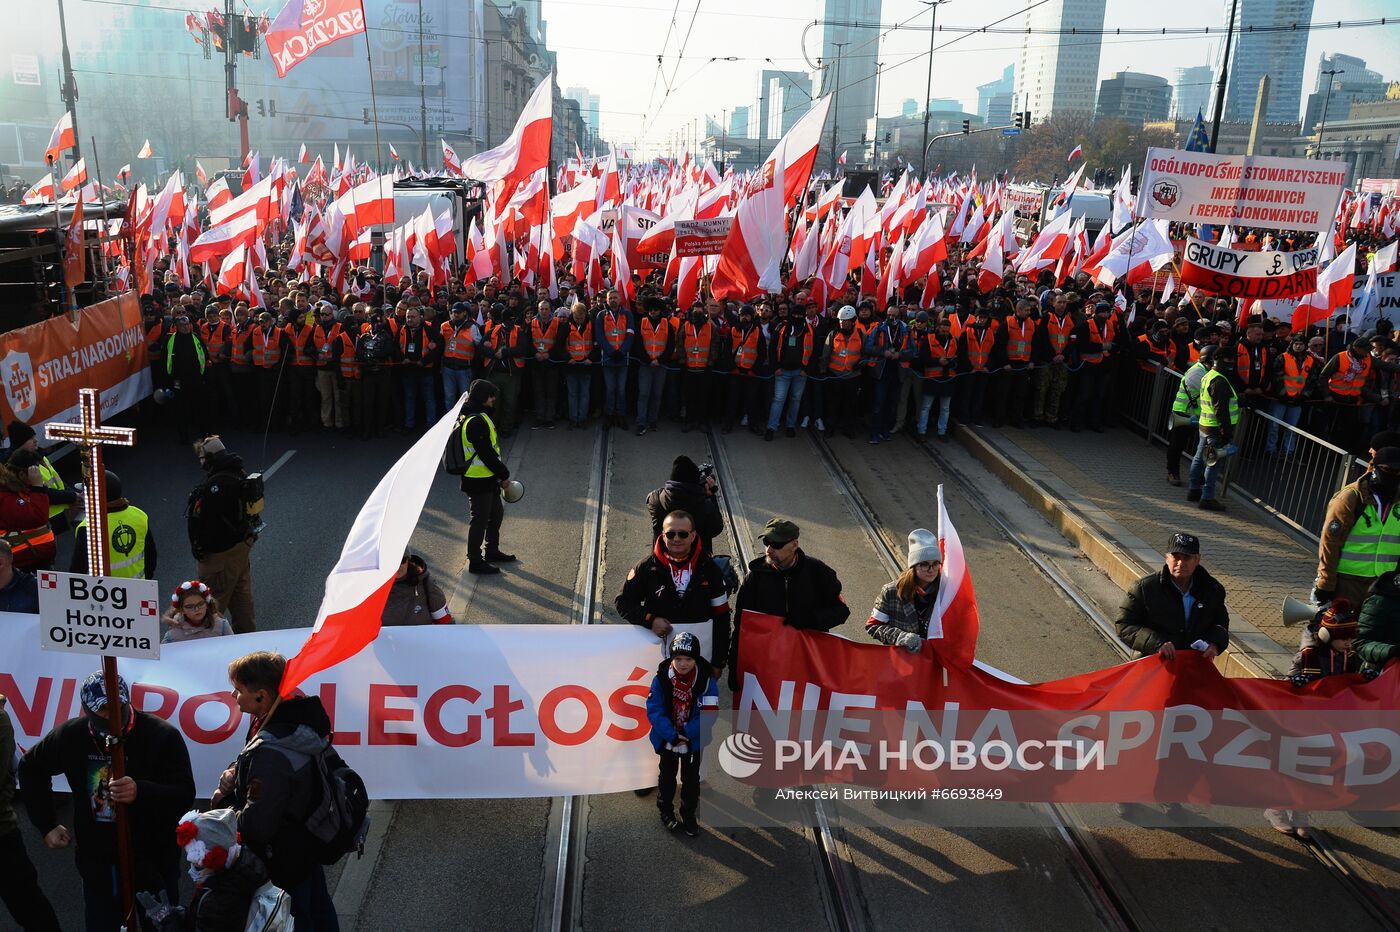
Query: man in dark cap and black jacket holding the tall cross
159,787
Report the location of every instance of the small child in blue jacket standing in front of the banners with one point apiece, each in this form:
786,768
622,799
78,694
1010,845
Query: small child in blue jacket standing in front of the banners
681,693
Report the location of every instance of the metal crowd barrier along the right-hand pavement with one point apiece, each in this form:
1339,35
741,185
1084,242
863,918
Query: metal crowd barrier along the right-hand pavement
1294,482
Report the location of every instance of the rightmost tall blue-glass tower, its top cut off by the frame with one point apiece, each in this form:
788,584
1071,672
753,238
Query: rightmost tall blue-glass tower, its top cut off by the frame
1279,54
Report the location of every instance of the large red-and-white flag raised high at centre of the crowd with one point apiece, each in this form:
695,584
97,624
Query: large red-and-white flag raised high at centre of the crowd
750,264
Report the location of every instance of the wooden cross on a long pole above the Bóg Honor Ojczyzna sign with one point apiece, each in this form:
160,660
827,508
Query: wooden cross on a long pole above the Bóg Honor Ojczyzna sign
90,435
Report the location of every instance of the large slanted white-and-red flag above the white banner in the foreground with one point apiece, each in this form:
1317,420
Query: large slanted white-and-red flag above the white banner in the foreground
359,586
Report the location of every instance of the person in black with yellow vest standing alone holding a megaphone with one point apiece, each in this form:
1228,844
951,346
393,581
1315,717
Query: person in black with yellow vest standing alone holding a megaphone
484,481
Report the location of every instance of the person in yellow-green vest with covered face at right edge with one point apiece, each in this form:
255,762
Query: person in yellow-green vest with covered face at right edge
1360,538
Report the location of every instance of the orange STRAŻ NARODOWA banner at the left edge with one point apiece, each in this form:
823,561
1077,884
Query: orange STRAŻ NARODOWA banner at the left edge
45,365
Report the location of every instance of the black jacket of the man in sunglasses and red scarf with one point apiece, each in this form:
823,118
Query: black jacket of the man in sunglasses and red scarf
650,593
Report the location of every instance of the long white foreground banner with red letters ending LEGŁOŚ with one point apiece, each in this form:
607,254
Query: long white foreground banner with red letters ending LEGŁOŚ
425,713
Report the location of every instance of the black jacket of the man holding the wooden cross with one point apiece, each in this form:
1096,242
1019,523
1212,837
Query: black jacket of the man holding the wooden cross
156,759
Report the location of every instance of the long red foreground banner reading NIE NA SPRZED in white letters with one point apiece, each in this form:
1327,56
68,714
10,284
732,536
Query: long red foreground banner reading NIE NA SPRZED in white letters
817,709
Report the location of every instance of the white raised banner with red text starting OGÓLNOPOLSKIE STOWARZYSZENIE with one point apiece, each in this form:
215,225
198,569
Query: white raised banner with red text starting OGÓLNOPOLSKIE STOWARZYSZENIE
1252,191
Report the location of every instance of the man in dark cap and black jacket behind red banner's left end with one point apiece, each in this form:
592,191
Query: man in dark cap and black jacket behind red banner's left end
790,584
